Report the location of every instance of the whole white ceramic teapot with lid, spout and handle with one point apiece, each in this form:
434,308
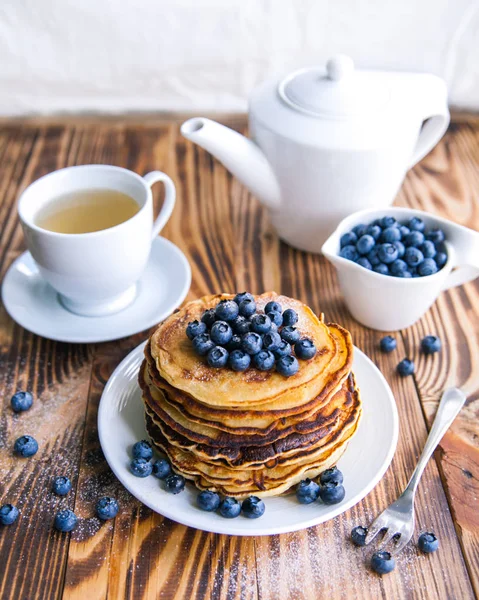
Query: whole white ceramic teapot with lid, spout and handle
328,142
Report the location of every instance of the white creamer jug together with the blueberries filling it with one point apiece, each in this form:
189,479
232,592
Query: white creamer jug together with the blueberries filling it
393,263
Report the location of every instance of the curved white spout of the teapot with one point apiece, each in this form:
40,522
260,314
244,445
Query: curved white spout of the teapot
238,154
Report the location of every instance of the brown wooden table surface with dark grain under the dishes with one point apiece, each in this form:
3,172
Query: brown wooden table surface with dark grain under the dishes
229,241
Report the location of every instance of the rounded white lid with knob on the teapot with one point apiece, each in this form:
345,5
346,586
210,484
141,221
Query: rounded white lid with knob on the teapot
337,91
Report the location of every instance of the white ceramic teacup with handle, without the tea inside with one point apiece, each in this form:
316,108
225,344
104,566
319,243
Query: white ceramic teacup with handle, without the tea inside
95,273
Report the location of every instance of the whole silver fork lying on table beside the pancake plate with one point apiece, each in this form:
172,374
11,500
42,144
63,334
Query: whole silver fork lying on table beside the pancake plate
398,518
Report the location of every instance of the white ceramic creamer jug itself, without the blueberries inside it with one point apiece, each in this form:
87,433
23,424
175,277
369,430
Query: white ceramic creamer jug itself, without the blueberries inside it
391,303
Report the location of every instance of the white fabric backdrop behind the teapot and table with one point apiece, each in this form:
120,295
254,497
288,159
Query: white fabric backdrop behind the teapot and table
206,55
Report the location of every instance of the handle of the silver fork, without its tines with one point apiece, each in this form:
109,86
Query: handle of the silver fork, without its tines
451,403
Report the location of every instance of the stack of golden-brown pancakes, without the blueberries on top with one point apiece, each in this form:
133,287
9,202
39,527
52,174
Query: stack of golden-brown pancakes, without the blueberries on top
253,432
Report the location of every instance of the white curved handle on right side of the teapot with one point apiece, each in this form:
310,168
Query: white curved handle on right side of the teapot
436,114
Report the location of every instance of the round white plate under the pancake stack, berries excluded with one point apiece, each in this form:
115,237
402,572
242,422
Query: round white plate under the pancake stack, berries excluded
121,424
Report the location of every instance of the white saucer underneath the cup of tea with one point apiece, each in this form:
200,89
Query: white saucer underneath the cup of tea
34,304
